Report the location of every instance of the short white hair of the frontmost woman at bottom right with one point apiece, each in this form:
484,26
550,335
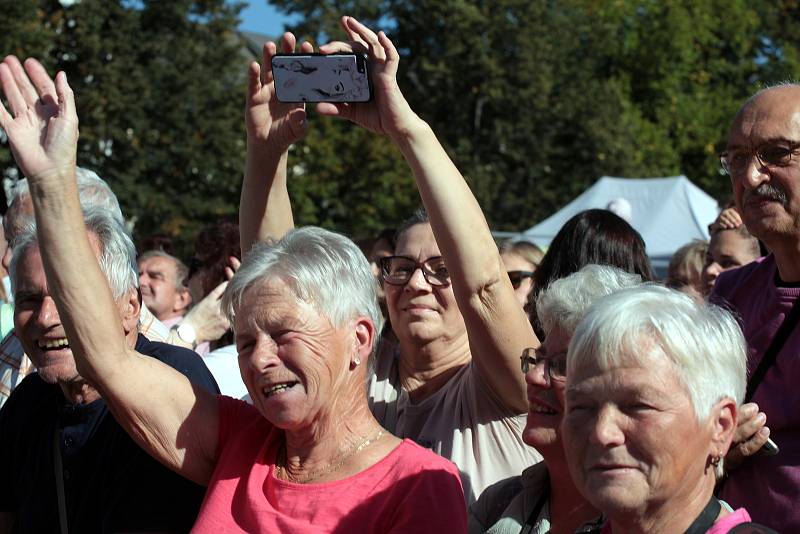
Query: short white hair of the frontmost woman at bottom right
703,342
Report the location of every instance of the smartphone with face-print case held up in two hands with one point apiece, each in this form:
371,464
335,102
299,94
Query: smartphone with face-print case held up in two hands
321,78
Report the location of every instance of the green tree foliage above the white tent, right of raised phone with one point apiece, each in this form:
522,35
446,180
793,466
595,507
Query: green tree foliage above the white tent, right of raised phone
536,100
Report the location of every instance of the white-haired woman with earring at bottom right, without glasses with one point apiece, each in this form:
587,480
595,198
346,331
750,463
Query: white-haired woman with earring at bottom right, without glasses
654,381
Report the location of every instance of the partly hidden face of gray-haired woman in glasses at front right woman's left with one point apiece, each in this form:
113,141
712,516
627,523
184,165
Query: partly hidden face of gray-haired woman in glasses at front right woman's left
546,401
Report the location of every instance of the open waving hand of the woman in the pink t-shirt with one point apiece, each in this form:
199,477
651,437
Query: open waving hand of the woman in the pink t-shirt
42,126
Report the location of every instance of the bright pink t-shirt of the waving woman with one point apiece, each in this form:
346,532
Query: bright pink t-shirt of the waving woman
411,490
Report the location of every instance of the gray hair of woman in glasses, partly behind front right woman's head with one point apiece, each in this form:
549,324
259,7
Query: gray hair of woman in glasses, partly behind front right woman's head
566,300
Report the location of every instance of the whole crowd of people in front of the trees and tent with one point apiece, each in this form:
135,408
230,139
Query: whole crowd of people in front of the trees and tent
286,380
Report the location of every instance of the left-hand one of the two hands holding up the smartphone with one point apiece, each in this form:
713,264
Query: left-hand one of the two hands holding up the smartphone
268,119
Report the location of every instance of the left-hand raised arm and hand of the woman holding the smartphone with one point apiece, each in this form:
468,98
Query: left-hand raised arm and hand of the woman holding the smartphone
264,208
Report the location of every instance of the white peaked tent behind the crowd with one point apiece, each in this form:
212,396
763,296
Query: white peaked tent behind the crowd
667,212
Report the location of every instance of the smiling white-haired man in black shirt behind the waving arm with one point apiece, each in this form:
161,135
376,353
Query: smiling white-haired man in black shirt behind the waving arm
59,423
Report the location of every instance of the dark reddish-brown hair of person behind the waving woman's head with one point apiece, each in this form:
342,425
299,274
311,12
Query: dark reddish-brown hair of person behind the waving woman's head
212,248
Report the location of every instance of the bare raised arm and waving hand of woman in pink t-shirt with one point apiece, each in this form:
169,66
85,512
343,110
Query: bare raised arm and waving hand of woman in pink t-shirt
174,421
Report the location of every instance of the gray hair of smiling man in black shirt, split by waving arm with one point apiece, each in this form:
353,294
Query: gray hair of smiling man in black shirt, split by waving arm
117,252
